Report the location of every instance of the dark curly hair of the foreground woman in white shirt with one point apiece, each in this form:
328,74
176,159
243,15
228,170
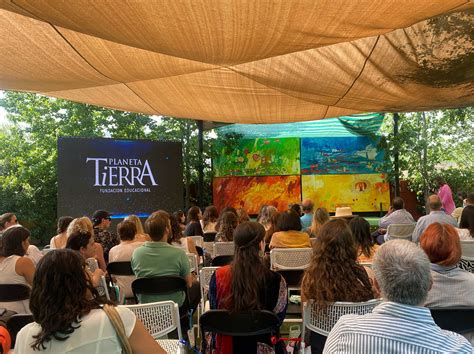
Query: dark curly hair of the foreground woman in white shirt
61,295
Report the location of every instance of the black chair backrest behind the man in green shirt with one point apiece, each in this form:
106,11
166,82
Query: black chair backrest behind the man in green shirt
160,286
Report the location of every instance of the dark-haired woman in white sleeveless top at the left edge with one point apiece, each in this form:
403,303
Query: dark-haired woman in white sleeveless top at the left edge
15,267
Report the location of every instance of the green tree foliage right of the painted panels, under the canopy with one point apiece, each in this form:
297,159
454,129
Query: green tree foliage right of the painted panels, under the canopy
431,144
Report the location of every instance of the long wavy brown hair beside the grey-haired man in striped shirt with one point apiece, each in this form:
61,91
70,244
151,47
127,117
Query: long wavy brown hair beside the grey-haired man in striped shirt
334,274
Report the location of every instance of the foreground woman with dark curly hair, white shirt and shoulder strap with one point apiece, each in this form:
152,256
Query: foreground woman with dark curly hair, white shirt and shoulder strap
69,314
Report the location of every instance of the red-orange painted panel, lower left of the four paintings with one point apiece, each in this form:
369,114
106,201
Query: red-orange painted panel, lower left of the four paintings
253,192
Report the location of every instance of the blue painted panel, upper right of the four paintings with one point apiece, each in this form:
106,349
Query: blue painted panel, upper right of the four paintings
340,155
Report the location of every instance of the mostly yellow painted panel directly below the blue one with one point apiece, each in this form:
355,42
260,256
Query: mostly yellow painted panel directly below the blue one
360,192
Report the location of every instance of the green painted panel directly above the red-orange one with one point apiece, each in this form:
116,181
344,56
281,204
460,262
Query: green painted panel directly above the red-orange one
258,157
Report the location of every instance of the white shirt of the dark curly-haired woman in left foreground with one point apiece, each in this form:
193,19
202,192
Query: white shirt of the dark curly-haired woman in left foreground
95,335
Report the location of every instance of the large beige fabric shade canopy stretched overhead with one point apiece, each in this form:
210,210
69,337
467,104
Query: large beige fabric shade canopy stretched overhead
246,61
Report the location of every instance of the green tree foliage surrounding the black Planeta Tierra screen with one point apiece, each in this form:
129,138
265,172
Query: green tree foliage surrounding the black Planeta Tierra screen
28,142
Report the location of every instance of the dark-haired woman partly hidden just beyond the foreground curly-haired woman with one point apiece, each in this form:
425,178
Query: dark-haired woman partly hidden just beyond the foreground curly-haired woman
83,243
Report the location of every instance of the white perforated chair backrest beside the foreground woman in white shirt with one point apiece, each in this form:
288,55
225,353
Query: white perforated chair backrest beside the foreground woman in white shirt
159,318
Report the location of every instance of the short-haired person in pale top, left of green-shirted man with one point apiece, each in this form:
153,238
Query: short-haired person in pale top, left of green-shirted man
127,232
